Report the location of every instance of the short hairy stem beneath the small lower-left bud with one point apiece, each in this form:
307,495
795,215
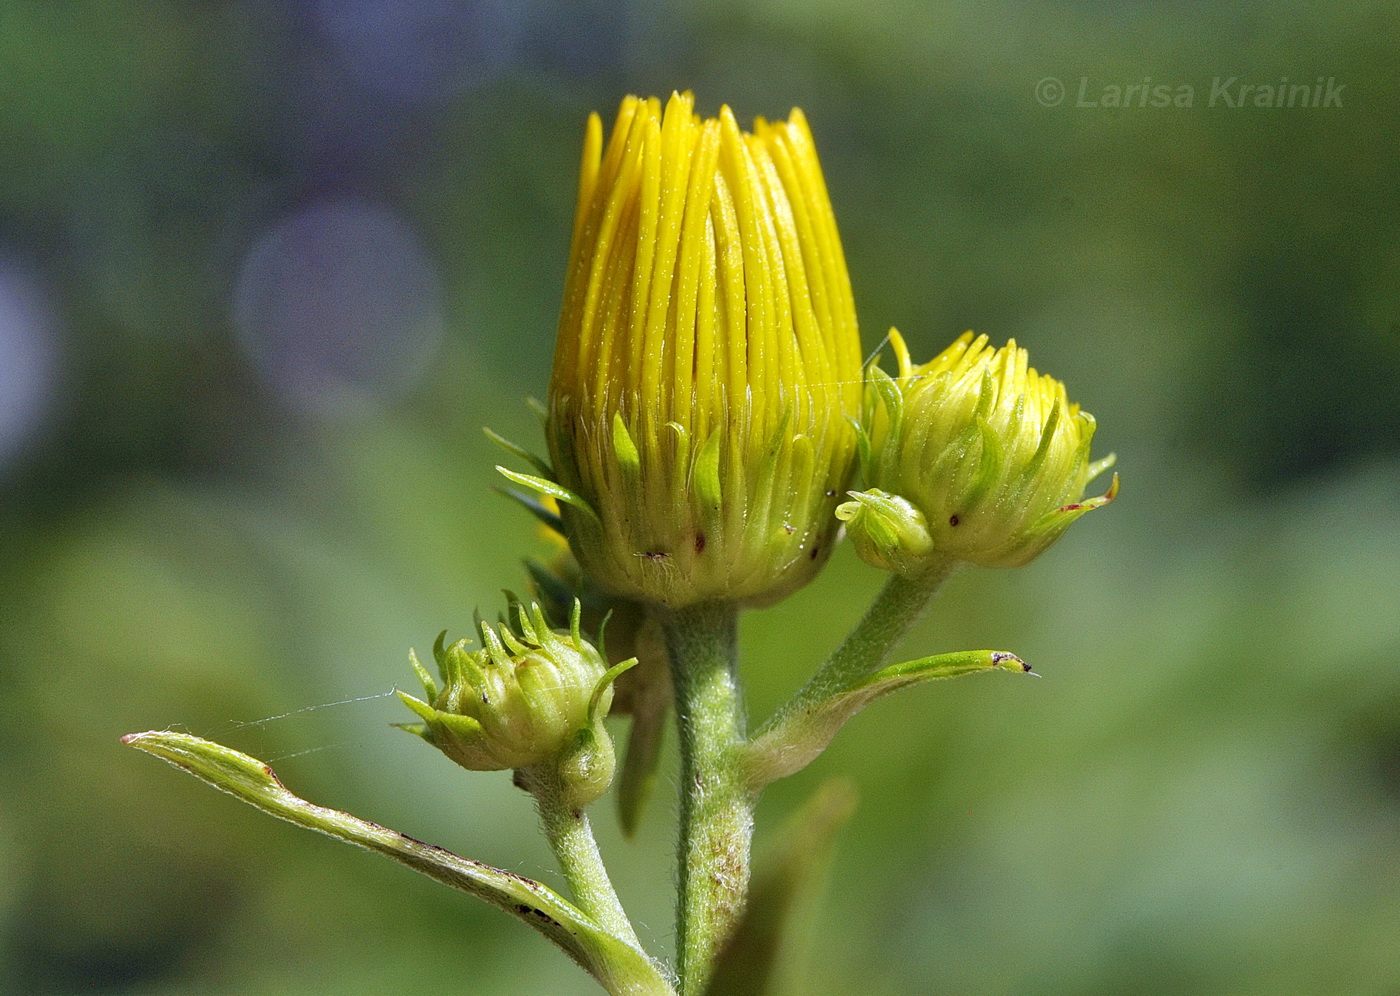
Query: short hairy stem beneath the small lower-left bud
572,838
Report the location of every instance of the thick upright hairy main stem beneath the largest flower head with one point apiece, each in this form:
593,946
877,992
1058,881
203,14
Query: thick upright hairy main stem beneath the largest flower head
716,808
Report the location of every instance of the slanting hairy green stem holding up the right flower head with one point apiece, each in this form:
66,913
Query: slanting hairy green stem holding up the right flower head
869,646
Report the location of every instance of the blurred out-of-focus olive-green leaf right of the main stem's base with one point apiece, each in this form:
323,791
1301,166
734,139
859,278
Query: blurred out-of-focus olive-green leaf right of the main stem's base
752,962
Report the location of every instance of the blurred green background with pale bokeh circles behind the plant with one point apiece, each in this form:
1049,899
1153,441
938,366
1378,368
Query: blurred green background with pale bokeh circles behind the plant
267,268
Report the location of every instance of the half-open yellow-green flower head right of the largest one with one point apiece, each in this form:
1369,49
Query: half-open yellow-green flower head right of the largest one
972,457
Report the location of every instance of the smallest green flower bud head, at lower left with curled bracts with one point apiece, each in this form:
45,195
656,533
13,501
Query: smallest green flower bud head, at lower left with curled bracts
530,697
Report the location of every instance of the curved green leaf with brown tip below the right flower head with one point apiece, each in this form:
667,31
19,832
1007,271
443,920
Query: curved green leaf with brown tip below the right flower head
799,739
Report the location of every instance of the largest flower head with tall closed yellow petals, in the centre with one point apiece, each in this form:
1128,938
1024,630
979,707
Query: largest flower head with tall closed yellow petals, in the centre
708,364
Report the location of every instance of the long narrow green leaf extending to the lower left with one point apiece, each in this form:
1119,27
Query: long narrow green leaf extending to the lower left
619,967
